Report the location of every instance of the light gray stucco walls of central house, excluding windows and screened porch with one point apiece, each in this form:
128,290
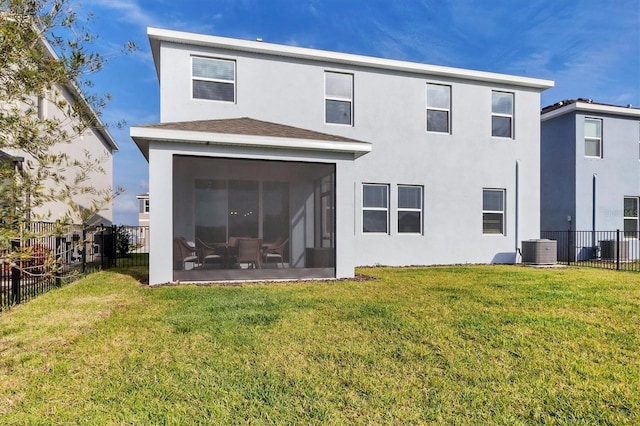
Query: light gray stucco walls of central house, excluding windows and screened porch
389,112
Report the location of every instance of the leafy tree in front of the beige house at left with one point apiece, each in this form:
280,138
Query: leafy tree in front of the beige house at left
45,57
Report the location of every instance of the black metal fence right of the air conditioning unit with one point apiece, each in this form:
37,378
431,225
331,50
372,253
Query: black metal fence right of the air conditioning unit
618,250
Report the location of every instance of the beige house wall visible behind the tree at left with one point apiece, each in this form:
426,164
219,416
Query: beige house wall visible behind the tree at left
95,143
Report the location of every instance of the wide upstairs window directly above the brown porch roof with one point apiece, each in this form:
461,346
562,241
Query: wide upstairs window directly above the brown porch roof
213,79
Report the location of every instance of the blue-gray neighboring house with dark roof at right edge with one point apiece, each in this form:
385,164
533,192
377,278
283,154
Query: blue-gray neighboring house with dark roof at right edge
590,168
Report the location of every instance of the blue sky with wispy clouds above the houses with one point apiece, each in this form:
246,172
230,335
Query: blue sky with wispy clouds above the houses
590,48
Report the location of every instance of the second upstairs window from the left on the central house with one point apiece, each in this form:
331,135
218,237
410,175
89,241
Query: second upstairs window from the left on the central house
338,98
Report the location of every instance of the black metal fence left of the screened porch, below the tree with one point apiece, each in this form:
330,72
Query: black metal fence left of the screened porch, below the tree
57,256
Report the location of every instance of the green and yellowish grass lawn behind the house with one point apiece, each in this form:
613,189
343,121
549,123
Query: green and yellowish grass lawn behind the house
446,345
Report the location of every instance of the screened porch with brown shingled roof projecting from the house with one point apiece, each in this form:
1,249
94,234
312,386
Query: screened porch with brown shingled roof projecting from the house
242,199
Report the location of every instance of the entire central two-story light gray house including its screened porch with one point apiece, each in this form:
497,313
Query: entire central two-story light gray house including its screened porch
346,159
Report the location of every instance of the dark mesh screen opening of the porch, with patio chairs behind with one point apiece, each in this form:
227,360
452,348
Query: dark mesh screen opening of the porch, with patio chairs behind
252,219
